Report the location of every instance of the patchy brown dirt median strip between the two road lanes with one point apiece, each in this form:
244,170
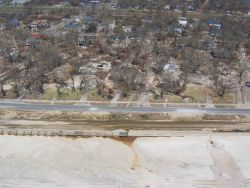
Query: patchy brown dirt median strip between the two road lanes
107,118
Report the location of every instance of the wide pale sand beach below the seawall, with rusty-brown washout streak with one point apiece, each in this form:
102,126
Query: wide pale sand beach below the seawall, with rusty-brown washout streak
195,160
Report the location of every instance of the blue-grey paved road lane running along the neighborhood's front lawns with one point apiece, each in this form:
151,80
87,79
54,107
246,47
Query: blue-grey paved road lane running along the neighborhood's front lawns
47,107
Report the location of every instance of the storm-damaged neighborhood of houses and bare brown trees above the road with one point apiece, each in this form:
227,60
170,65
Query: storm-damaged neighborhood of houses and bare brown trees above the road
166,53
